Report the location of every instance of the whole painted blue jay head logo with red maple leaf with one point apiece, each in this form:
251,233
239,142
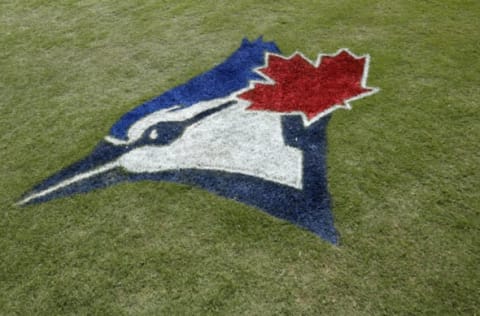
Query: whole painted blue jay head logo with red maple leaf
252,129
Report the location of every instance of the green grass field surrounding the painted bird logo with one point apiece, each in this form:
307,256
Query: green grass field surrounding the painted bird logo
404,164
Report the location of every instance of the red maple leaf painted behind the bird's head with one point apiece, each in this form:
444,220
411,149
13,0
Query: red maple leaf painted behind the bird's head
300,86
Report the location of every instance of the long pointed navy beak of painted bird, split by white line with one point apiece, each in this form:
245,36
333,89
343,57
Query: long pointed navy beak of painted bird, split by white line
97,170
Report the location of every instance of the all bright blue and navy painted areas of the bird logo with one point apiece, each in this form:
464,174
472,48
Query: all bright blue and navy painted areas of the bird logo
308,208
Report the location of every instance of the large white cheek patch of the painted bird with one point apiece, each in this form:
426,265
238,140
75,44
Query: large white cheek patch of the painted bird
232,140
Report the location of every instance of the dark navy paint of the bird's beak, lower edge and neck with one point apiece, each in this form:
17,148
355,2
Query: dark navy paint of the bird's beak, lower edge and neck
308,208
